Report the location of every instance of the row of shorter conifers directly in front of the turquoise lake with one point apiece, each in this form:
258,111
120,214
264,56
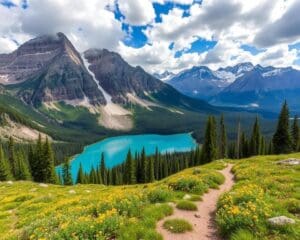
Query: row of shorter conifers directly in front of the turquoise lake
137,168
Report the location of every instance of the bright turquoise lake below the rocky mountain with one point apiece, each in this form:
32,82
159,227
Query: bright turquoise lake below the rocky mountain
115,149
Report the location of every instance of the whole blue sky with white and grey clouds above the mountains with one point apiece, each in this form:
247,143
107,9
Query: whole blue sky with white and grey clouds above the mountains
164,34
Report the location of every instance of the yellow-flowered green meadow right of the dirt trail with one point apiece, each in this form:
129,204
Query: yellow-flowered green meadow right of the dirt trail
263,190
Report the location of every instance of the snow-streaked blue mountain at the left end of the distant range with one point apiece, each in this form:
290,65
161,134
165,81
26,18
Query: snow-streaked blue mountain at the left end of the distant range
202,82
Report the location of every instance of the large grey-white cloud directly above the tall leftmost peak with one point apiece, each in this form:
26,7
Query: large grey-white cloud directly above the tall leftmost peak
86,23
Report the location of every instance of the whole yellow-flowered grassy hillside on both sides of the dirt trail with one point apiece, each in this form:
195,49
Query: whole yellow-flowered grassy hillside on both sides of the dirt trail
263,189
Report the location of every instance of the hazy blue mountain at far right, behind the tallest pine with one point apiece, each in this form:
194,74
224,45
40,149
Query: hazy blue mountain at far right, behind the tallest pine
263,87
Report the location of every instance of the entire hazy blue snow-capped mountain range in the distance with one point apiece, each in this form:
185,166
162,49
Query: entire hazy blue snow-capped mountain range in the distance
243,85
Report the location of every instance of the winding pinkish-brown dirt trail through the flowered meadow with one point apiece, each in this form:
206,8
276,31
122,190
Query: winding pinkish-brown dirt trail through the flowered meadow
203,225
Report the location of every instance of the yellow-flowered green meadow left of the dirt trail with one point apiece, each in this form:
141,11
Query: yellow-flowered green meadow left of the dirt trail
28,210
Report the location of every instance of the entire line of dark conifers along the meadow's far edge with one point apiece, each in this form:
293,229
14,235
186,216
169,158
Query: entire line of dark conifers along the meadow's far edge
139,168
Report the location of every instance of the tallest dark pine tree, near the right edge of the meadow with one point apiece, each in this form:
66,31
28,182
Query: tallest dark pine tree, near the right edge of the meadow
282,140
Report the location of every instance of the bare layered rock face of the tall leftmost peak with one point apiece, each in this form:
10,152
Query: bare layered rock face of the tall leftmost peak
47,69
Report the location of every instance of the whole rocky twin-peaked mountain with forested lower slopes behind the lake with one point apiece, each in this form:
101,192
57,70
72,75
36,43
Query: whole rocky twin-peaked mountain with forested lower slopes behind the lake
47,85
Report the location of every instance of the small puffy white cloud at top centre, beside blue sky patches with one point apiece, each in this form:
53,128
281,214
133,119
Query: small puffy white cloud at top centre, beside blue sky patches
137,12
